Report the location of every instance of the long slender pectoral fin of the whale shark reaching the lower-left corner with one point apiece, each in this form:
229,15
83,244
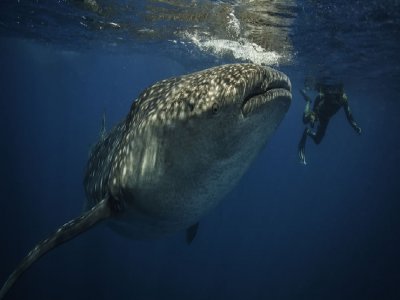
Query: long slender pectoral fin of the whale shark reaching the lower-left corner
66,232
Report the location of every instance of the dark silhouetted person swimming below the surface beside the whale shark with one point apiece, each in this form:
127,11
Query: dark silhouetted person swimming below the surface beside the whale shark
330,99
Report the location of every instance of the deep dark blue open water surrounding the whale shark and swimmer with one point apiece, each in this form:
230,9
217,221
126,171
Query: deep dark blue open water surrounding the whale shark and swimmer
328,230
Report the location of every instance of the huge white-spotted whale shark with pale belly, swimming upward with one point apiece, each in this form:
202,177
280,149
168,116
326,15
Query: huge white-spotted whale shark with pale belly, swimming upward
184,144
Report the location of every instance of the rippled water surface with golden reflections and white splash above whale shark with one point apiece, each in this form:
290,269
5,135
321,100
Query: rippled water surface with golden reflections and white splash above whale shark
326,37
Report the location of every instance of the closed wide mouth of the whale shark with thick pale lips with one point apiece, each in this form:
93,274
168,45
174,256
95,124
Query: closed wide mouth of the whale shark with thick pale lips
278,89
